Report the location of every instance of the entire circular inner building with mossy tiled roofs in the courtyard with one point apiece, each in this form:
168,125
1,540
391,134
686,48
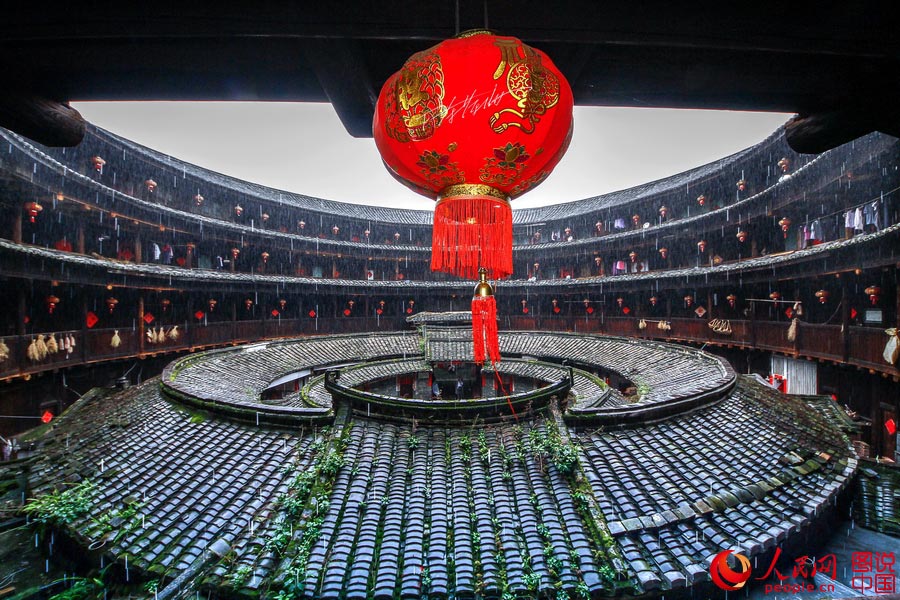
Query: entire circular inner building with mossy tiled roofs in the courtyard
291,468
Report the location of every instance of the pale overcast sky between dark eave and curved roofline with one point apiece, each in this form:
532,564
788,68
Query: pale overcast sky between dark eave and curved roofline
304,148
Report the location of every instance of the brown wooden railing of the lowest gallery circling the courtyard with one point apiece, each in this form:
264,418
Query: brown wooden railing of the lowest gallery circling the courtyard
860,346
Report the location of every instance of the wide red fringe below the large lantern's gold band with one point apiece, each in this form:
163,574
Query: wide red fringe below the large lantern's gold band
472,231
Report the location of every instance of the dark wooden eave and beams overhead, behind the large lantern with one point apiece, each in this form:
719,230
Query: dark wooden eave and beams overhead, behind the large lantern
718,57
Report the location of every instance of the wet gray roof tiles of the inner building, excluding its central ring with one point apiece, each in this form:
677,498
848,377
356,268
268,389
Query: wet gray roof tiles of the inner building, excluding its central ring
446,510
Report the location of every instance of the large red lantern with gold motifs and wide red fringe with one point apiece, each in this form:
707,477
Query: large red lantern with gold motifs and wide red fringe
473,122
